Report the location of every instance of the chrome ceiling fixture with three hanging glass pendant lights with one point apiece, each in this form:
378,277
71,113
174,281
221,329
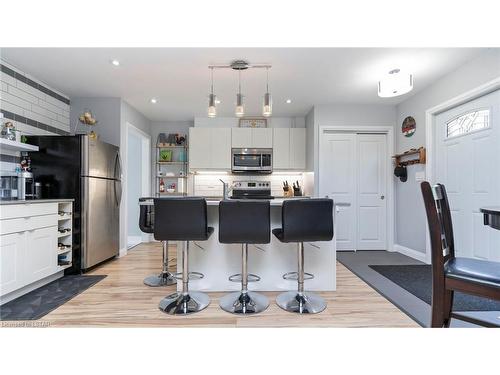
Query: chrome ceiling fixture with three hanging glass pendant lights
239,65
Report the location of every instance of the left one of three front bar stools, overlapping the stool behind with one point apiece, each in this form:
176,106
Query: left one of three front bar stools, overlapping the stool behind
182,219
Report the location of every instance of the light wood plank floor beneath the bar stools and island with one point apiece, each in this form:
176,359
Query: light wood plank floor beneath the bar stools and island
122,300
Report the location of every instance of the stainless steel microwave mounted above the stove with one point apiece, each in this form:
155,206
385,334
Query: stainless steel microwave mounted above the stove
252,160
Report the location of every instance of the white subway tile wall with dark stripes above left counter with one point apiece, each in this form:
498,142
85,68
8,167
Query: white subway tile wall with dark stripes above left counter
32,106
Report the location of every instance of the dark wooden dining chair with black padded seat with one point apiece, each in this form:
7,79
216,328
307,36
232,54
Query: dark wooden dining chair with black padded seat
450,273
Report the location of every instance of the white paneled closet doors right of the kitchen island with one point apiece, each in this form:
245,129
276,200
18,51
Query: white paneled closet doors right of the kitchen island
353,172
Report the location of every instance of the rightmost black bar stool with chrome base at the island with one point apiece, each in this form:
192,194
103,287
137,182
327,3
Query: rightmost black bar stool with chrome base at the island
304,220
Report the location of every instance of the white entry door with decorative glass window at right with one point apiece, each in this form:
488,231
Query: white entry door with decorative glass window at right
468,164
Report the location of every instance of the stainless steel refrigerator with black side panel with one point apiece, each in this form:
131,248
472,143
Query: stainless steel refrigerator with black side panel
90,172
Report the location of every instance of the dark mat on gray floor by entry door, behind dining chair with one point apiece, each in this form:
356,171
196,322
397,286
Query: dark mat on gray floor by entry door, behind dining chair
417,279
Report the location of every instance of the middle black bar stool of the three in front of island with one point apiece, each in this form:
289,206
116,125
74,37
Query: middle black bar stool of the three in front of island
244,222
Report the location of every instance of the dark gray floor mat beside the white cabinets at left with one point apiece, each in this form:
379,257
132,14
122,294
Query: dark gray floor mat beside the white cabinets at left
39,302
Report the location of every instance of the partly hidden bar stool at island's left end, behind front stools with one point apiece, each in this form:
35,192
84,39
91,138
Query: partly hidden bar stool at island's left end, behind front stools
146,224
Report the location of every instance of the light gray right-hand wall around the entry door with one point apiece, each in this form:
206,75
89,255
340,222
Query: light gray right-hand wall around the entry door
410,215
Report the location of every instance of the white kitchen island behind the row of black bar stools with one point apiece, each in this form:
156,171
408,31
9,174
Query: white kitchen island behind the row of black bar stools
218,261
